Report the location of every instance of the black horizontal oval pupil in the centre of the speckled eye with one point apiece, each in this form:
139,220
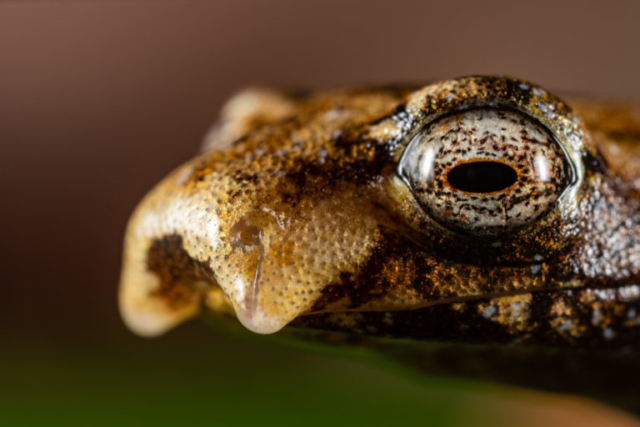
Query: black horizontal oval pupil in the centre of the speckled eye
482,177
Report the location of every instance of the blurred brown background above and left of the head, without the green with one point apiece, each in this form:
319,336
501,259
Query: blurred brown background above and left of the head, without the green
99,100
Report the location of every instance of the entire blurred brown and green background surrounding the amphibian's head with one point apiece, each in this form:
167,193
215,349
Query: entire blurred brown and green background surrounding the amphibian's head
100,99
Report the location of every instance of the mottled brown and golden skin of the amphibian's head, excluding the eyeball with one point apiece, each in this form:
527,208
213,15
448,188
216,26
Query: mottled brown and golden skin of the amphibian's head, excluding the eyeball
295,213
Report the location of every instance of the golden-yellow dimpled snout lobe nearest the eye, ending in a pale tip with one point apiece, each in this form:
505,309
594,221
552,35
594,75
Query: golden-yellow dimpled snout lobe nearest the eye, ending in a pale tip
279,269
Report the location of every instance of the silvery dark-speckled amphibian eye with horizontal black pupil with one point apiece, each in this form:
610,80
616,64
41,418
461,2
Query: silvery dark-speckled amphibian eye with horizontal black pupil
485,171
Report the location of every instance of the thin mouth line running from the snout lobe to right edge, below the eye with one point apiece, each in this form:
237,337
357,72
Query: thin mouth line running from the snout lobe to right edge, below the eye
466,299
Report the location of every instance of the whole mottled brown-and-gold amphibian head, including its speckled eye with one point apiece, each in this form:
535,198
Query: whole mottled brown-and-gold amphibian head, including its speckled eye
480,226
